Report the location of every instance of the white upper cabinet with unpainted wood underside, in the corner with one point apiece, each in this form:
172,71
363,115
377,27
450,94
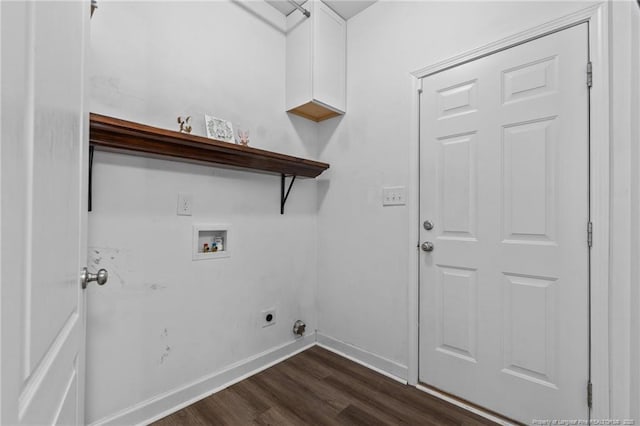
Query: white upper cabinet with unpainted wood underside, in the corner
316,63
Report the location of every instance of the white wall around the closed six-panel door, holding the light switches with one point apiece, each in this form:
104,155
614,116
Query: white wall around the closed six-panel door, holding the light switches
364,248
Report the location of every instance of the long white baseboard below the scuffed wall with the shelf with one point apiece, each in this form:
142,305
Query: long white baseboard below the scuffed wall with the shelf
169,402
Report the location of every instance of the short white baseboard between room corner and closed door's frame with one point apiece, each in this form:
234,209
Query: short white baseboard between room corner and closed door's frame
370,360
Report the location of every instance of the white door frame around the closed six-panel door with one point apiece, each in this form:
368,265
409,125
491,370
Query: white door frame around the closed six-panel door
597,18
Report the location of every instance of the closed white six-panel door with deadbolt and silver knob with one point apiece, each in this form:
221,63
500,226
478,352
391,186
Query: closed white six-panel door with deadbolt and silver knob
504,180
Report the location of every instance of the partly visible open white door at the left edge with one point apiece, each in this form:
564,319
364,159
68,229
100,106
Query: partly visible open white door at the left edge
43,184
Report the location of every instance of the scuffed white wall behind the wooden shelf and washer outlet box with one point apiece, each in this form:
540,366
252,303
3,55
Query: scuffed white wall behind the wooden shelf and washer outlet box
164,321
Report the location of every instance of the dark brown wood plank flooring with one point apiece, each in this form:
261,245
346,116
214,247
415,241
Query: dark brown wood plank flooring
318,387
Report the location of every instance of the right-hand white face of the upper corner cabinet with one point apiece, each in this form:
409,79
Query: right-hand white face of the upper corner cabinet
329,59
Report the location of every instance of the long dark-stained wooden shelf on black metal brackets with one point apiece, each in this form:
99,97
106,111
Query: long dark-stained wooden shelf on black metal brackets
116,134
